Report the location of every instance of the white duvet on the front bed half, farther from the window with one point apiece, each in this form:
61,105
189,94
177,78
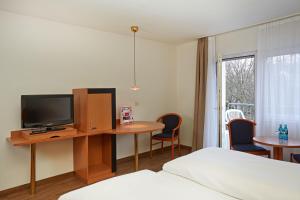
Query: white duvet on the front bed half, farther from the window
146,185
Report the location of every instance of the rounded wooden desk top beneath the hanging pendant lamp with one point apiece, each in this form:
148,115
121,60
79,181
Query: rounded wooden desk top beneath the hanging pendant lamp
138,127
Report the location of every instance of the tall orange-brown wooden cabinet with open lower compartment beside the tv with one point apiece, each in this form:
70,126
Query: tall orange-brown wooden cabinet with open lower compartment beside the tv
95,114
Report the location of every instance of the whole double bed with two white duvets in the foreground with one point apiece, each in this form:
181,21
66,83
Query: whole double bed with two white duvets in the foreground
208,174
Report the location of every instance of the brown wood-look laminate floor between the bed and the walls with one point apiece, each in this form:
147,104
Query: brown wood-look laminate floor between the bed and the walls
51,189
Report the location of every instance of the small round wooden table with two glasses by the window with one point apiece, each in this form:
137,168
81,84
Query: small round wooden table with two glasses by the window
277,144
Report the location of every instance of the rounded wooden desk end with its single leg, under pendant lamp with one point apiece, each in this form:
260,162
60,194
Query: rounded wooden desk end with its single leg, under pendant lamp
136,128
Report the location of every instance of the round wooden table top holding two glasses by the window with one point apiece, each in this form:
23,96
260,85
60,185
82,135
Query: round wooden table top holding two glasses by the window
275,142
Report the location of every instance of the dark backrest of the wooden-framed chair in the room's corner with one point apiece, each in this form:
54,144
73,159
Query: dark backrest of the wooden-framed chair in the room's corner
171,121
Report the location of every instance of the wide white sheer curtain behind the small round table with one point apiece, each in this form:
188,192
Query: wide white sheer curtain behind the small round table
278,77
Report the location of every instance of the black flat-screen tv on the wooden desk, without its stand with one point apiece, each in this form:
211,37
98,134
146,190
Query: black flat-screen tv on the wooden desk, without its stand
46,110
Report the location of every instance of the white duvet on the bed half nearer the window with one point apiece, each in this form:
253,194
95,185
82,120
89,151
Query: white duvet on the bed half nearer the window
240,175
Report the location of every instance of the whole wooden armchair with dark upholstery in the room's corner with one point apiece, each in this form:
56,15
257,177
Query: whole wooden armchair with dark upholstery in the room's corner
170,133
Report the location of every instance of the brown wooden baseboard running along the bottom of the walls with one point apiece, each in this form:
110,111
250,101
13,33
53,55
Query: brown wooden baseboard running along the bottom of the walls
71,174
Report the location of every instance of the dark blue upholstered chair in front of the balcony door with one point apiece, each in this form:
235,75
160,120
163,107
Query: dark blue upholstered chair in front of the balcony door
241,133
